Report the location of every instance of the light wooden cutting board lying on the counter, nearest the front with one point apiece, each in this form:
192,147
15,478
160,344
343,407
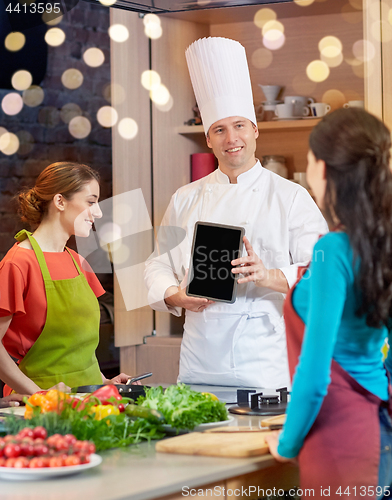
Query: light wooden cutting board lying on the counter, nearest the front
246,444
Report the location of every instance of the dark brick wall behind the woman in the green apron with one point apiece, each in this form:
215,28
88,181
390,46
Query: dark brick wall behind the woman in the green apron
85,26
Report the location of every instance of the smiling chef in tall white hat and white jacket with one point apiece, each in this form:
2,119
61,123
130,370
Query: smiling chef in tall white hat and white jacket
239,344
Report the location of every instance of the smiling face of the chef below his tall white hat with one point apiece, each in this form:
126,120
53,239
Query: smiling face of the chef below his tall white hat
233,141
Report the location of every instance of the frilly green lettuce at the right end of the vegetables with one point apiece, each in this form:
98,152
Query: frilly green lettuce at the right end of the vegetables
183,408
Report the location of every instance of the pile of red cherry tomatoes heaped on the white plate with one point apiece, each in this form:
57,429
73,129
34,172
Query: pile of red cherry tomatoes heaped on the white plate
31,448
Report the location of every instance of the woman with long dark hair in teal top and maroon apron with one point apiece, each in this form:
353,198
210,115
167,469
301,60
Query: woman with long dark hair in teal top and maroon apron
338,316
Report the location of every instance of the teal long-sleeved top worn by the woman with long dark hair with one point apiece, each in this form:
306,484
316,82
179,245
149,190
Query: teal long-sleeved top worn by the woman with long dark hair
325,301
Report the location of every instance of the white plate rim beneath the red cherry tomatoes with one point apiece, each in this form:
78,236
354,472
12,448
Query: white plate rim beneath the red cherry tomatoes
47,472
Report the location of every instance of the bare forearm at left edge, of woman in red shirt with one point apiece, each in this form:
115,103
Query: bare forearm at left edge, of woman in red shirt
9,371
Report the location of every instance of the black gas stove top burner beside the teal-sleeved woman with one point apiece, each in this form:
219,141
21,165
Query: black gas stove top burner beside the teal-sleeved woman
260,404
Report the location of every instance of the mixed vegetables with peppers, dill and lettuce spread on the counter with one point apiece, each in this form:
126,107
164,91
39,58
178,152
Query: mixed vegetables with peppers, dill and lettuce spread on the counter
110,421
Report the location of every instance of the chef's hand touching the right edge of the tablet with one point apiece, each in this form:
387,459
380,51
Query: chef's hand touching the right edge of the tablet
253,269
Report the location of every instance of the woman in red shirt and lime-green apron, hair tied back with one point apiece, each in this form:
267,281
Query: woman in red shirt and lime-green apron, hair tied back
49,313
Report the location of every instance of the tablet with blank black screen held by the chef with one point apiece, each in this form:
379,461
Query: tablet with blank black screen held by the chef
214,247
